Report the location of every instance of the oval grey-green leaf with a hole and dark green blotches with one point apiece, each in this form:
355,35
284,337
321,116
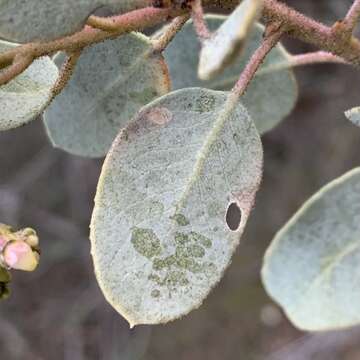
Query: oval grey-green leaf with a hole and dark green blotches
160,241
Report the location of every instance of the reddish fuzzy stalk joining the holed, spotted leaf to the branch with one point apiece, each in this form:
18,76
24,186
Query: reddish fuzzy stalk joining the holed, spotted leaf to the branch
271,38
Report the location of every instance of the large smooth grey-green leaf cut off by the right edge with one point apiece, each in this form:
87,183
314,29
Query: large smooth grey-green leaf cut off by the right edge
312,266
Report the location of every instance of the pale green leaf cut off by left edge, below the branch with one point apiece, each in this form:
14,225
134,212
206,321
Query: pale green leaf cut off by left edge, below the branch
26,96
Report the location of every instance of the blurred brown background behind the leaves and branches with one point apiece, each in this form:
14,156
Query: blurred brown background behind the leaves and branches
58,312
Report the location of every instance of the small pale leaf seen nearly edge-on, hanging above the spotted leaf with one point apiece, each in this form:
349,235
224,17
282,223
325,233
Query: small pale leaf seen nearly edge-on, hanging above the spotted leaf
226,43
